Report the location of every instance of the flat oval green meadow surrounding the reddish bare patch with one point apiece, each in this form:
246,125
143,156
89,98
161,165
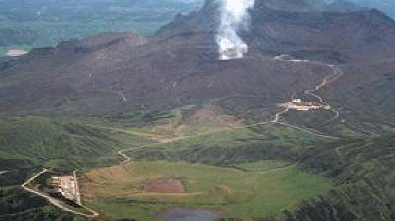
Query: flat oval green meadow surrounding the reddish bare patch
267,191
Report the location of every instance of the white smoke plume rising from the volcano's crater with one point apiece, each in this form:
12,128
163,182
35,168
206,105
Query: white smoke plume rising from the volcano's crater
234,16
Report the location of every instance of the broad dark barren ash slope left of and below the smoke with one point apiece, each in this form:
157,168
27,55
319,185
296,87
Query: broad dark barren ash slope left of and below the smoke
117,73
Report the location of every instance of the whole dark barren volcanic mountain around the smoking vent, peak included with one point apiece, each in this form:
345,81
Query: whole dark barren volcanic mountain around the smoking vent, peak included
118,73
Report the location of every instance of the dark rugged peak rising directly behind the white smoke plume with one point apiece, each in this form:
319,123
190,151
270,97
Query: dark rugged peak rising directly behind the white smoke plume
330,35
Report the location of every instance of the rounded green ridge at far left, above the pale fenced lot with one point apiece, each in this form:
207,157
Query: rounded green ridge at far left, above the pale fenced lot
32,141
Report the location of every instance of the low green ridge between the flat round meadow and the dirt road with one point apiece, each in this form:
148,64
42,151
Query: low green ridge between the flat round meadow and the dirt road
215,143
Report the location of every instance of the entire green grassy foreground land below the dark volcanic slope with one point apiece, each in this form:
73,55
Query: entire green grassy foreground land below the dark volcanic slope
199,149
